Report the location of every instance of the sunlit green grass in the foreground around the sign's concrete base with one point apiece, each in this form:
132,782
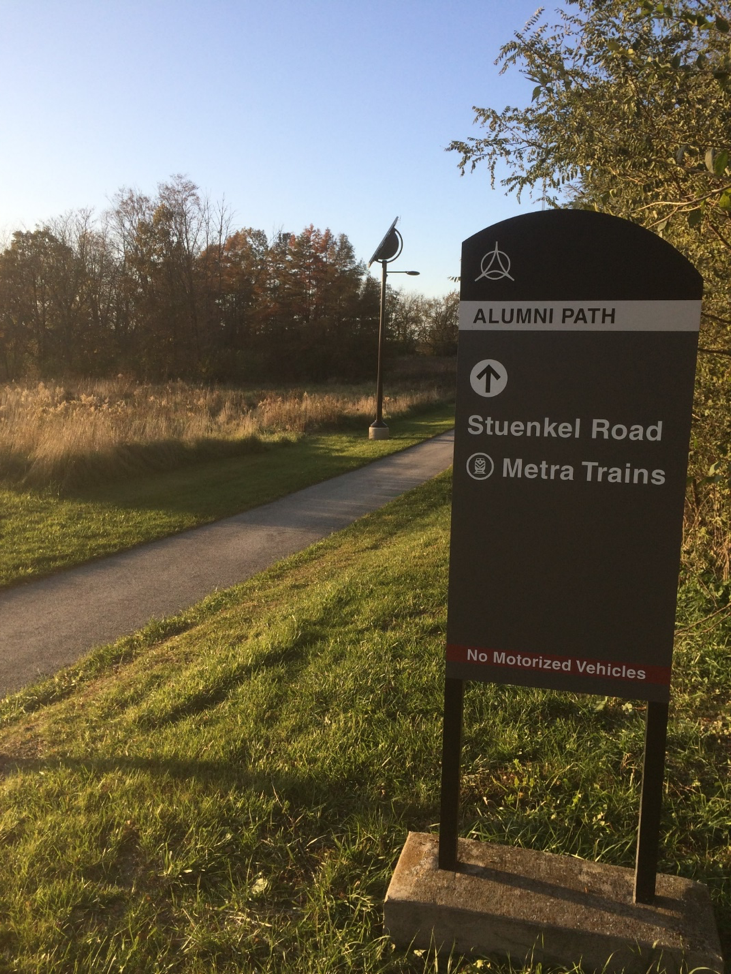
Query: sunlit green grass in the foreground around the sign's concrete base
229,791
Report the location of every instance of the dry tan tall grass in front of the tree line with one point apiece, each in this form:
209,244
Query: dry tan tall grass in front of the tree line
68,436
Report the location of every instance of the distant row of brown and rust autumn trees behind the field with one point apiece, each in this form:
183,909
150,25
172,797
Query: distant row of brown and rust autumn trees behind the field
163,287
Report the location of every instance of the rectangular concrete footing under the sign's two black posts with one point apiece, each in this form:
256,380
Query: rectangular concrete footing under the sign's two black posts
556,910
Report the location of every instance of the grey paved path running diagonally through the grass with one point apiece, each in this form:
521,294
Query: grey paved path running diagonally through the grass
48,624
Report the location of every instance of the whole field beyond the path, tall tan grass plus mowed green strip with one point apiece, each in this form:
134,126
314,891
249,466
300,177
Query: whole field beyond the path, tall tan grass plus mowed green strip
173,466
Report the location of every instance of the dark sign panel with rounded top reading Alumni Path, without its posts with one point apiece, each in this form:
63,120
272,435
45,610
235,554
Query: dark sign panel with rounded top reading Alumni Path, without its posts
577,349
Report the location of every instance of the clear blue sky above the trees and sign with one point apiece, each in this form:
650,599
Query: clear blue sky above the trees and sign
328,112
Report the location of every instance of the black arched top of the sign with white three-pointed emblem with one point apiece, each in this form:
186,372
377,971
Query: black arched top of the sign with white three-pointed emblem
592,256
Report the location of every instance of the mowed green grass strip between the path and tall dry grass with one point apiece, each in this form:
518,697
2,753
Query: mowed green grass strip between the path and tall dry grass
41,532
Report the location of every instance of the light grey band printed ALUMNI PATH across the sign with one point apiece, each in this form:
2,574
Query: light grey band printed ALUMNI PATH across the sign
579,315
